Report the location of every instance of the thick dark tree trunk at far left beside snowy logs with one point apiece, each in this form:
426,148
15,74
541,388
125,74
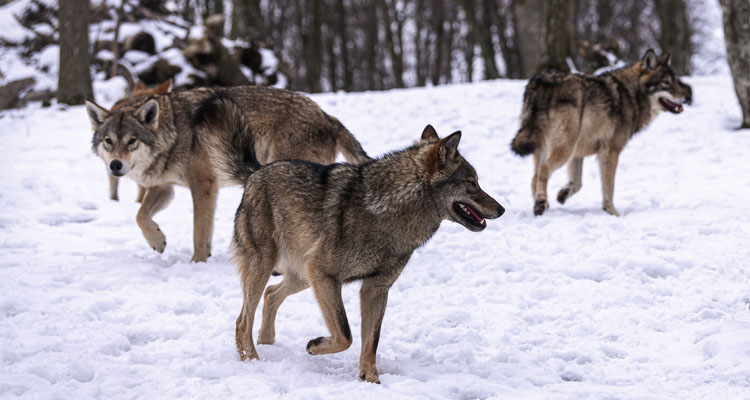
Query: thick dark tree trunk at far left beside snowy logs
74,79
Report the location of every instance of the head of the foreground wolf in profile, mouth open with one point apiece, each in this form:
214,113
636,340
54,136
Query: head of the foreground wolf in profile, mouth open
454,182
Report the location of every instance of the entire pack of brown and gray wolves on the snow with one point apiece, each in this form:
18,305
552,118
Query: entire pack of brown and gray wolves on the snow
323,224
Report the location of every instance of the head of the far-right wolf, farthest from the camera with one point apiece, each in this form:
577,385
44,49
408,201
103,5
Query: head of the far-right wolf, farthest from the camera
660,83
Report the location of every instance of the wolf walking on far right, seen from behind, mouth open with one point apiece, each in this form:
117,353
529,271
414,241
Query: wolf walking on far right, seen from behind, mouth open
566,117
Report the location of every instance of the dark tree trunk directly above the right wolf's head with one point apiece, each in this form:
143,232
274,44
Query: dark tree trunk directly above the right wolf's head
674,36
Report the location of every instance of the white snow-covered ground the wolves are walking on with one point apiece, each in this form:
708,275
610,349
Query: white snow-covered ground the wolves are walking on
575,304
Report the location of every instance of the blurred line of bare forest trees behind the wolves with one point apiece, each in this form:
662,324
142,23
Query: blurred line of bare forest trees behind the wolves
356,45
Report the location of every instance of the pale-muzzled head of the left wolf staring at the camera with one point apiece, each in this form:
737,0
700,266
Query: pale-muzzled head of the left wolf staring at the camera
122,136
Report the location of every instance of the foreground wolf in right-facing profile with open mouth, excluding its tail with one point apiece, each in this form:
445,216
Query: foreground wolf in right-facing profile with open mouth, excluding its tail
325,226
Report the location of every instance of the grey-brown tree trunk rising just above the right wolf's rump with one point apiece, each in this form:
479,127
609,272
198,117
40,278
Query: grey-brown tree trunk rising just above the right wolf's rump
528,20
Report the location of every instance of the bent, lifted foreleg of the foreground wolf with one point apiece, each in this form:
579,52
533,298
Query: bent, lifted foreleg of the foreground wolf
328,292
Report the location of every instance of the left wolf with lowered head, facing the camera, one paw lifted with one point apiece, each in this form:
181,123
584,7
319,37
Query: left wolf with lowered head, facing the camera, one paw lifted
207,138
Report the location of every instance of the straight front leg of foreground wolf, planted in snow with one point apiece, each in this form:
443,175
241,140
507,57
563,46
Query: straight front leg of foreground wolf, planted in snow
373,300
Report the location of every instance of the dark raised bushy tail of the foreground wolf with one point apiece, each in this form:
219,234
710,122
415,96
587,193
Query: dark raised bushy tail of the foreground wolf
225,130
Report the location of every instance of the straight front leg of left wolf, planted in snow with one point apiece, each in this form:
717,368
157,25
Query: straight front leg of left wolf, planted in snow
204,190
